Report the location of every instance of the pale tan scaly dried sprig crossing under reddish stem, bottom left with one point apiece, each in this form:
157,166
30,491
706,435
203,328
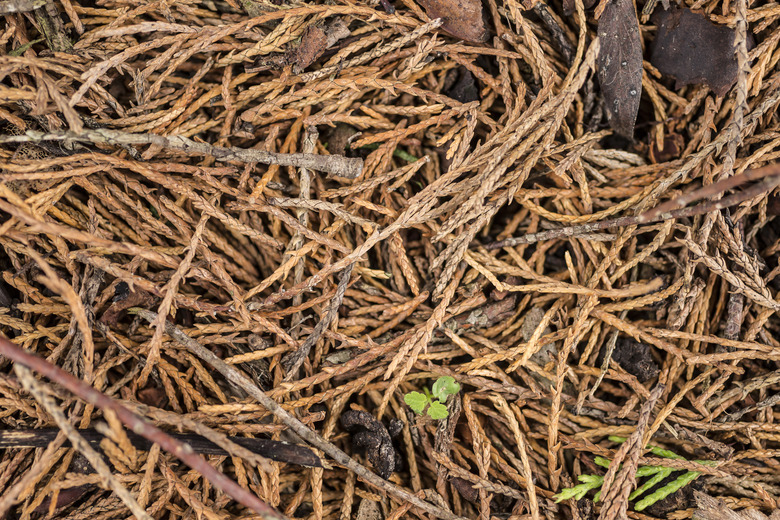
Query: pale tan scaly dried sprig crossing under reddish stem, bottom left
39,392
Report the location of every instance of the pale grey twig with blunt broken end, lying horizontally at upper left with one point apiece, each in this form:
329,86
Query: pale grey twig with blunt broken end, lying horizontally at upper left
335,164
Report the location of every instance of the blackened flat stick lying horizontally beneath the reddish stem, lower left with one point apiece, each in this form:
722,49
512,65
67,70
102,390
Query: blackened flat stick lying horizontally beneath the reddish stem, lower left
274,450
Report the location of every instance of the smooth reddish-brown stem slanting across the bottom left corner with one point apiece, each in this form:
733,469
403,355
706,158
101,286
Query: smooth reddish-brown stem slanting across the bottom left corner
139,426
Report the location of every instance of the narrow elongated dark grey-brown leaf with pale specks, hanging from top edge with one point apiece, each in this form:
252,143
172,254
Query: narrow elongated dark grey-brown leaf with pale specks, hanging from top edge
620,65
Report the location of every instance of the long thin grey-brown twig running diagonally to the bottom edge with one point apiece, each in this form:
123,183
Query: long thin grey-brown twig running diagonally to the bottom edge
238,379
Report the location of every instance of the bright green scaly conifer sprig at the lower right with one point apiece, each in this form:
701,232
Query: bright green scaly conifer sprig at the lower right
656,474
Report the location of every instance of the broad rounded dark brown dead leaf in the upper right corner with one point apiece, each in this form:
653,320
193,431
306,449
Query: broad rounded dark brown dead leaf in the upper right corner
694,50
